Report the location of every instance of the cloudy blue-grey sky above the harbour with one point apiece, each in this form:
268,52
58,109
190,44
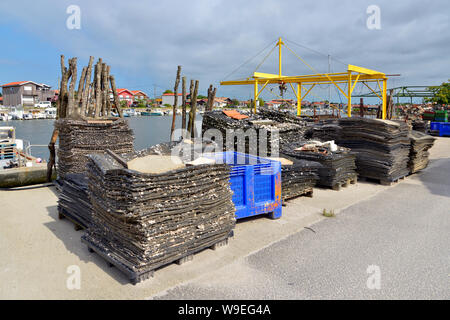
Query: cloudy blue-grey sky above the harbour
144,41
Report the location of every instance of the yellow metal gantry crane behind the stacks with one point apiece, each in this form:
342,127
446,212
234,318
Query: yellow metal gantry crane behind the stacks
351,78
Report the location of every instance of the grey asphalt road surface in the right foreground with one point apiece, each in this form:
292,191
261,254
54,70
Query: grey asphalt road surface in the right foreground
397,241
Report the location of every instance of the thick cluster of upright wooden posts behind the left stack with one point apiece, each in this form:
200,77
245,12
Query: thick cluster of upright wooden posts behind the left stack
91,100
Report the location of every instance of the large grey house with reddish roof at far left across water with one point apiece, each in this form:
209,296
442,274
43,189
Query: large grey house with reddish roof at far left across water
25,93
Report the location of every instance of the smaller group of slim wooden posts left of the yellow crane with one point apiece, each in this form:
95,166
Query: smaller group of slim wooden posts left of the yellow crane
193,92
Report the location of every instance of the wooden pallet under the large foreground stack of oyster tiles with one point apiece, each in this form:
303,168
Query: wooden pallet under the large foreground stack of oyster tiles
136,277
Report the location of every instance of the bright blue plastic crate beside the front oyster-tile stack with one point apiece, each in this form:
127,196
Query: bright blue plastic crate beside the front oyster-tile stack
255,182
